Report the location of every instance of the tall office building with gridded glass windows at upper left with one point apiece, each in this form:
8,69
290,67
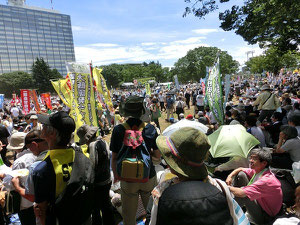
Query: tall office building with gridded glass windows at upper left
29,32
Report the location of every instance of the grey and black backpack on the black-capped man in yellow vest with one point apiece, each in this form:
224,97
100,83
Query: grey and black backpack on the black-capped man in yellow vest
74,204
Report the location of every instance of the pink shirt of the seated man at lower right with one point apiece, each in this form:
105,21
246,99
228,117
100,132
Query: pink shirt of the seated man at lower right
266,191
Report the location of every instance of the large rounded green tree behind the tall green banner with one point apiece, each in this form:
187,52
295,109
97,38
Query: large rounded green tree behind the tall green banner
192,67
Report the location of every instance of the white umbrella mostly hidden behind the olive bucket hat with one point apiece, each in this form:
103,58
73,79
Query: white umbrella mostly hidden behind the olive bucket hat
184,123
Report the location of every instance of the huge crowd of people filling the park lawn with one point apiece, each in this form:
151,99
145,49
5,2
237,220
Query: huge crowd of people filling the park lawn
140,173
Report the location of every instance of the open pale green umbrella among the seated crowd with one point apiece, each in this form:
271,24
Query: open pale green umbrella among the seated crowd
231,140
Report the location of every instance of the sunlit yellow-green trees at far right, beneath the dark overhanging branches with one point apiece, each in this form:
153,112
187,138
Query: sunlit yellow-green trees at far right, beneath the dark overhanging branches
272,60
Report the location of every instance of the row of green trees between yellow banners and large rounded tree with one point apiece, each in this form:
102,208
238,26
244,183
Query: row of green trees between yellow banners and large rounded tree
116,74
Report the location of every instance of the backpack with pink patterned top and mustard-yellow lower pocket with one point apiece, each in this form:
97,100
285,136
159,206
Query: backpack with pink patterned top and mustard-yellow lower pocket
133,160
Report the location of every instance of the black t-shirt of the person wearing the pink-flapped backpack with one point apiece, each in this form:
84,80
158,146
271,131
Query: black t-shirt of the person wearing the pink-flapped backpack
149,135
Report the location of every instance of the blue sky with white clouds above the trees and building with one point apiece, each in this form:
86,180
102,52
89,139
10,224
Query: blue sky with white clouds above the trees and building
134,31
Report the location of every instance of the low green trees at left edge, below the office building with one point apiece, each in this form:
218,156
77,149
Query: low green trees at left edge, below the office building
14,81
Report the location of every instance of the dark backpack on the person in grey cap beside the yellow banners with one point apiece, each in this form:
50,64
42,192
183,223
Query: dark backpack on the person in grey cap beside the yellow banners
99,157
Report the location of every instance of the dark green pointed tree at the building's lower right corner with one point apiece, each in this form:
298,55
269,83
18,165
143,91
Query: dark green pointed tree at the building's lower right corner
42,74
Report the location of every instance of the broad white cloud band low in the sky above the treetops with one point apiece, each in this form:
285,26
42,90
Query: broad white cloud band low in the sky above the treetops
102,54
